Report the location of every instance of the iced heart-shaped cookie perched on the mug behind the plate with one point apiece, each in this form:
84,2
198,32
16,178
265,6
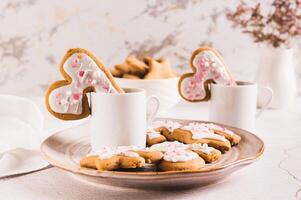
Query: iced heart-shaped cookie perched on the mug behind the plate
208,67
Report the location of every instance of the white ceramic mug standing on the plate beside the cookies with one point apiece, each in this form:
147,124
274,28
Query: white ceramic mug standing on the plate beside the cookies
120,119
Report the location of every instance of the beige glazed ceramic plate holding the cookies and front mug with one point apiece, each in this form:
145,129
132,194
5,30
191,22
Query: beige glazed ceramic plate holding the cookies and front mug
64,150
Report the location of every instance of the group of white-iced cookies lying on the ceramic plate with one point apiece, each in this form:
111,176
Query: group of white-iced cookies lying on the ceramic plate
173,147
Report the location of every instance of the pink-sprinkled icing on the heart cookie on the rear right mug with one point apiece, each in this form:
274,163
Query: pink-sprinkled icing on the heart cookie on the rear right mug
208,66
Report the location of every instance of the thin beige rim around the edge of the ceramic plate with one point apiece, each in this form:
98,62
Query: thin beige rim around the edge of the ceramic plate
143,174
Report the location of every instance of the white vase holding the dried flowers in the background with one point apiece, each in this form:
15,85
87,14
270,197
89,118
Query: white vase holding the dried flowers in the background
276,70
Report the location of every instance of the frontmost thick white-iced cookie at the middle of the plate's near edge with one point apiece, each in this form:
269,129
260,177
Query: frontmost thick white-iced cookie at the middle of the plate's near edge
179,160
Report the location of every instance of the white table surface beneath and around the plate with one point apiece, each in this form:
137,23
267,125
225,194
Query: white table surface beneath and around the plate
277,175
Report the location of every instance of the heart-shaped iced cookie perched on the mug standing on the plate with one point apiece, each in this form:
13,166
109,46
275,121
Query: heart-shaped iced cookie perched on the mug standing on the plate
83,73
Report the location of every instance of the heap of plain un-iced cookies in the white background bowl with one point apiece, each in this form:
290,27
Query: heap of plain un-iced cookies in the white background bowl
148,68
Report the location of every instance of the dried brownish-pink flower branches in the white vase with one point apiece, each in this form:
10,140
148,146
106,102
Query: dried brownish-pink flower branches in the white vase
277,28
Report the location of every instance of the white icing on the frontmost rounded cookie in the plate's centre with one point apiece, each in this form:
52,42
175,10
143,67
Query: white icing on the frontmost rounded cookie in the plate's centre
179,155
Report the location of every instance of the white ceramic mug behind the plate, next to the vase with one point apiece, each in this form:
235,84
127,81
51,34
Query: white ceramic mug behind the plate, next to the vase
236,105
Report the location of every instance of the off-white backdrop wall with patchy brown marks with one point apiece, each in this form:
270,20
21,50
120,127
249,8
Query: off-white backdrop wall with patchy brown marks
36,33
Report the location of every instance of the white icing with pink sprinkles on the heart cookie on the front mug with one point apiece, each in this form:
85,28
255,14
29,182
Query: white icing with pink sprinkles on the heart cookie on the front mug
84,73
